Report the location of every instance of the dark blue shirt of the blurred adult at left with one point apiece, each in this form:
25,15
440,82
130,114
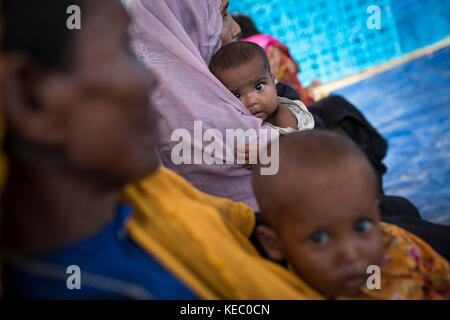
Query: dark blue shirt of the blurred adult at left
111,266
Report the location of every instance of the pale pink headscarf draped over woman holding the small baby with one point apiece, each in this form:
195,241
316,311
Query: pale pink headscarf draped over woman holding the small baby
176,39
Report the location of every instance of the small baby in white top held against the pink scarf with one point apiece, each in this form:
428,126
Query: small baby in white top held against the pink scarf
244,70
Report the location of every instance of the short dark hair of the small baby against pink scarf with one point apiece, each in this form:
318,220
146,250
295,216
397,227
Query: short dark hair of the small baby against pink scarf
235,54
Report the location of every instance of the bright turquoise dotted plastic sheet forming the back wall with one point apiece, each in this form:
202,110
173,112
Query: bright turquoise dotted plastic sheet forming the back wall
330,39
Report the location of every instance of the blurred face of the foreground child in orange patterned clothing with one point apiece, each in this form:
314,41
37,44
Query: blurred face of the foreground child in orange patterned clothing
331,238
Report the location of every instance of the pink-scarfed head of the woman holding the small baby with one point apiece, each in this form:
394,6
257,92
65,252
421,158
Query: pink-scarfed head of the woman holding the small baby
165,31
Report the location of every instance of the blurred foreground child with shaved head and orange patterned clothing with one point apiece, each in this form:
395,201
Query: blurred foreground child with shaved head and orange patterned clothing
321,216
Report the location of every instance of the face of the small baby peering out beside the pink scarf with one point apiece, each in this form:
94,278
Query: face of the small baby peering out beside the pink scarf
254,86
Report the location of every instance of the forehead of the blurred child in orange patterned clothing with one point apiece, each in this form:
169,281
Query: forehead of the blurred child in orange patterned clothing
324,198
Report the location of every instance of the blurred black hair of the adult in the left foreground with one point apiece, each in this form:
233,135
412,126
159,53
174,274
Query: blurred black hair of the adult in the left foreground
38,28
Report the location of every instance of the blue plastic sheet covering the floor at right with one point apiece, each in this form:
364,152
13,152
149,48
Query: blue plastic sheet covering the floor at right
410,106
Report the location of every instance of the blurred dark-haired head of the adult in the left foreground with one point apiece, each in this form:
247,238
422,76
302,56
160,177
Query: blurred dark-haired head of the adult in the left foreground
76,96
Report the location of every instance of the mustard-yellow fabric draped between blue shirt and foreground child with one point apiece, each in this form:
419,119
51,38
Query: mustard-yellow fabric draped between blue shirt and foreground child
203,241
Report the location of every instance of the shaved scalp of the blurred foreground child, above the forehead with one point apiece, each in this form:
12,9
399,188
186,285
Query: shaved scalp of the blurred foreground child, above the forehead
308,160
